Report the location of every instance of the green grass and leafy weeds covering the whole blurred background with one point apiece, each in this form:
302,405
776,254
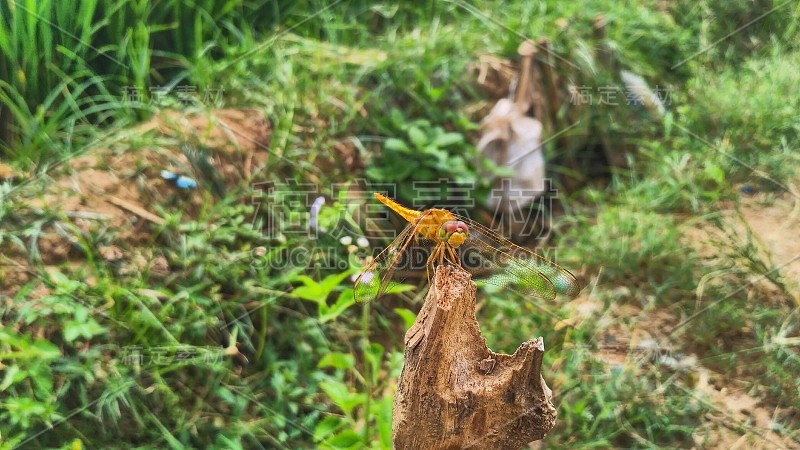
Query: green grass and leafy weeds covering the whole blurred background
276,354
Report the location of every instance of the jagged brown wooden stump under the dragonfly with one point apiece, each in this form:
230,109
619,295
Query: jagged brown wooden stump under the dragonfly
455,393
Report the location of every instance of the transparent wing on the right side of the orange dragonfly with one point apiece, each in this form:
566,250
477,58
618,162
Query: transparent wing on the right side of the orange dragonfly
511,266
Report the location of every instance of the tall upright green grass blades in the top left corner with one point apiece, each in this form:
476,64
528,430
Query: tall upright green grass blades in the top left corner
63,68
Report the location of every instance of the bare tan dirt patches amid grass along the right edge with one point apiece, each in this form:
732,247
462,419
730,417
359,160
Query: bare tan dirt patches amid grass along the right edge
770,224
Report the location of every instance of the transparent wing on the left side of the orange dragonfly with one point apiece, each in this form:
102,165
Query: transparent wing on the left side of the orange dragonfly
376,278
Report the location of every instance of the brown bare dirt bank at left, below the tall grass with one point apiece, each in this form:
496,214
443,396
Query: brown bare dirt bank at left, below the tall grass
117,191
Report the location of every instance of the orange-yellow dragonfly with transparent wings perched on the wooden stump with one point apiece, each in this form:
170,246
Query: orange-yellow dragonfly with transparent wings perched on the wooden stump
459,241
